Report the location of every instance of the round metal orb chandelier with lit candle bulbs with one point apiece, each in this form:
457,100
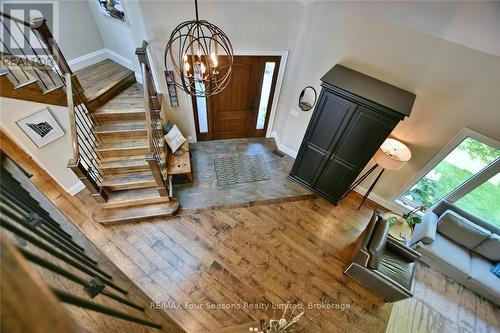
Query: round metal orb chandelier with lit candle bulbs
199,57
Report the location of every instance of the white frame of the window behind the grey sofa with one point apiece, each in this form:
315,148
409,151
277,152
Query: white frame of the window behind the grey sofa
466,187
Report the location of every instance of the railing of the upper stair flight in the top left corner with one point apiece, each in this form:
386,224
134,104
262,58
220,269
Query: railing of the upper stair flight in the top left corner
31,48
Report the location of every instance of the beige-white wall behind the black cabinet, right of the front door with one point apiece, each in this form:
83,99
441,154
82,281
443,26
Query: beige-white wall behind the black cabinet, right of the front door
456,86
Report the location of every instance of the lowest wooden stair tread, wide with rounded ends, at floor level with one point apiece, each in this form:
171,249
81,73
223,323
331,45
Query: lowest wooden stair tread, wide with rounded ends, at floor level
135,213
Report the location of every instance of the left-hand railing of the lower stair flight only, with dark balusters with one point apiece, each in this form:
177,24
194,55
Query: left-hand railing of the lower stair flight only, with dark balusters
85,161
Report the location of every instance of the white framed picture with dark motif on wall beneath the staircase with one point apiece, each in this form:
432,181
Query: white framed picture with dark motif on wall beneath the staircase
41,127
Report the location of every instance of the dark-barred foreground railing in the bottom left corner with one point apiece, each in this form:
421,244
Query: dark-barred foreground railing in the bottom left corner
29,231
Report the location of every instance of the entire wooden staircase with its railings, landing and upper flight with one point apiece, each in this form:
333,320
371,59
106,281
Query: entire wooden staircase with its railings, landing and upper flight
116,124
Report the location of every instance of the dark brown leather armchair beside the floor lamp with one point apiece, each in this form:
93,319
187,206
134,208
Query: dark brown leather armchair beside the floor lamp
382,263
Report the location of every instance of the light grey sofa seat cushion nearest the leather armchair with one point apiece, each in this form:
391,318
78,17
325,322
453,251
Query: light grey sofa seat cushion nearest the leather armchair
447,253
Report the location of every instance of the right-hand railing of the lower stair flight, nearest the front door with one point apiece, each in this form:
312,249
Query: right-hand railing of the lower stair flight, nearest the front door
157,156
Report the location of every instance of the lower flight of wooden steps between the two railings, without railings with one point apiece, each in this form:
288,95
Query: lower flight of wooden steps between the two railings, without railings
127,178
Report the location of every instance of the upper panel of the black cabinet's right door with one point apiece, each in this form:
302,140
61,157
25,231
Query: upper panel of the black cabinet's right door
363,137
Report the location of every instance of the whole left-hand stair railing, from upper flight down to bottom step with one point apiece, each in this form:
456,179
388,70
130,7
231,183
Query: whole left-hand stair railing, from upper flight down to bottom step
31,54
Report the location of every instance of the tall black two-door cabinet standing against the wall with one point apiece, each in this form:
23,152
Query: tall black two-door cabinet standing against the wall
354,114
